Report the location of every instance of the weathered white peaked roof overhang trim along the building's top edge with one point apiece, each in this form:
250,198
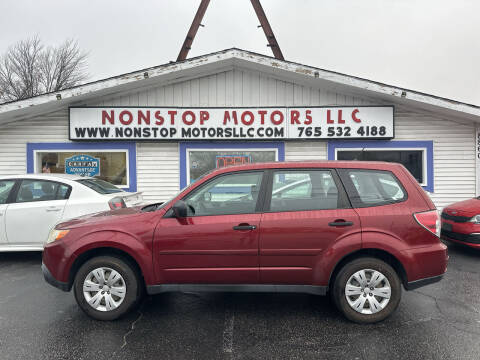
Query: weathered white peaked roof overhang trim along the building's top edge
211,63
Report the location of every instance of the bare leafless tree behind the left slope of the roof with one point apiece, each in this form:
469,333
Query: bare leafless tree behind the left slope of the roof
28,68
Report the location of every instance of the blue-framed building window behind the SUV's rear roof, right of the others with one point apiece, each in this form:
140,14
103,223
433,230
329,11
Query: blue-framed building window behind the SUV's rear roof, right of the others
416,156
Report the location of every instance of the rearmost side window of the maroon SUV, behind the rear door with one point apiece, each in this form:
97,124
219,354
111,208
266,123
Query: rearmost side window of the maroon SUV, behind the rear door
372,187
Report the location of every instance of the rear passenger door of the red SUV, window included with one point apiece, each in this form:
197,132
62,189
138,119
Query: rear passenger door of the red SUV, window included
306,212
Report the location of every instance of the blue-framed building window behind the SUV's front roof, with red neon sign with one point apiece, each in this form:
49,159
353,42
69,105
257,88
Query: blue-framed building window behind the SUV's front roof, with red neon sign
199,158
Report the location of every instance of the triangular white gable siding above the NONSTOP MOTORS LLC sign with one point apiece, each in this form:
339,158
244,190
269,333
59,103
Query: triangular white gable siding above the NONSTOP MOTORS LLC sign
234,87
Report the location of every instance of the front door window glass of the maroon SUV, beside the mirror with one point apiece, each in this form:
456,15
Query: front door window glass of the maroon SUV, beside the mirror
226,195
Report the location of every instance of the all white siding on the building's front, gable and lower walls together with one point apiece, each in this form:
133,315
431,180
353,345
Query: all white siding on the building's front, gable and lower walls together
158,163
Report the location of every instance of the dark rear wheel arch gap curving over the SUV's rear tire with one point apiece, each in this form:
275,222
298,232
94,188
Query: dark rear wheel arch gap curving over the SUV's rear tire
375,253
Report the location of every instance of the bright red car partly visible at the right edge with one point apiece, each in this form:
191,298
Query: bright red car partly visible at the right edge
461,223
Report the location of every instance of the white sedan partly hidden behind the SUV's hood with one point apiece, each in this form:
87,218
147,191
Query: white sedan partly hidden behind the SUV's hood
31,205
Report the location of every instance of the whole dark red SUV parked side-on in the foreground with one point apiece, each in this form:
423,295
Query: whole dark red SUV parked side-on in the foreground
358,230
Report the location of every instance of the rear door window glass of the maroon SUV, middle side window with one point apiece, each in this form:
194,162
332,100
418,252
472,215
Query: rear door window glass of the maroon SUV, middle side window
304,190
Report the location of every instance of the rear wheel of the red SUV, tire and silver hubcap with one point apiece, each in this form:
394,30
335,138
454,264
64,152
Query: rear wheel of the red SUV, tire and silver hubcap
357,294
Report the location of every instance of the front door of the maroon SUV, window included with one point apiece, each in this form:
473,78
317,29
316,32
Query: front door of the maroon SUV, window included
218,241
